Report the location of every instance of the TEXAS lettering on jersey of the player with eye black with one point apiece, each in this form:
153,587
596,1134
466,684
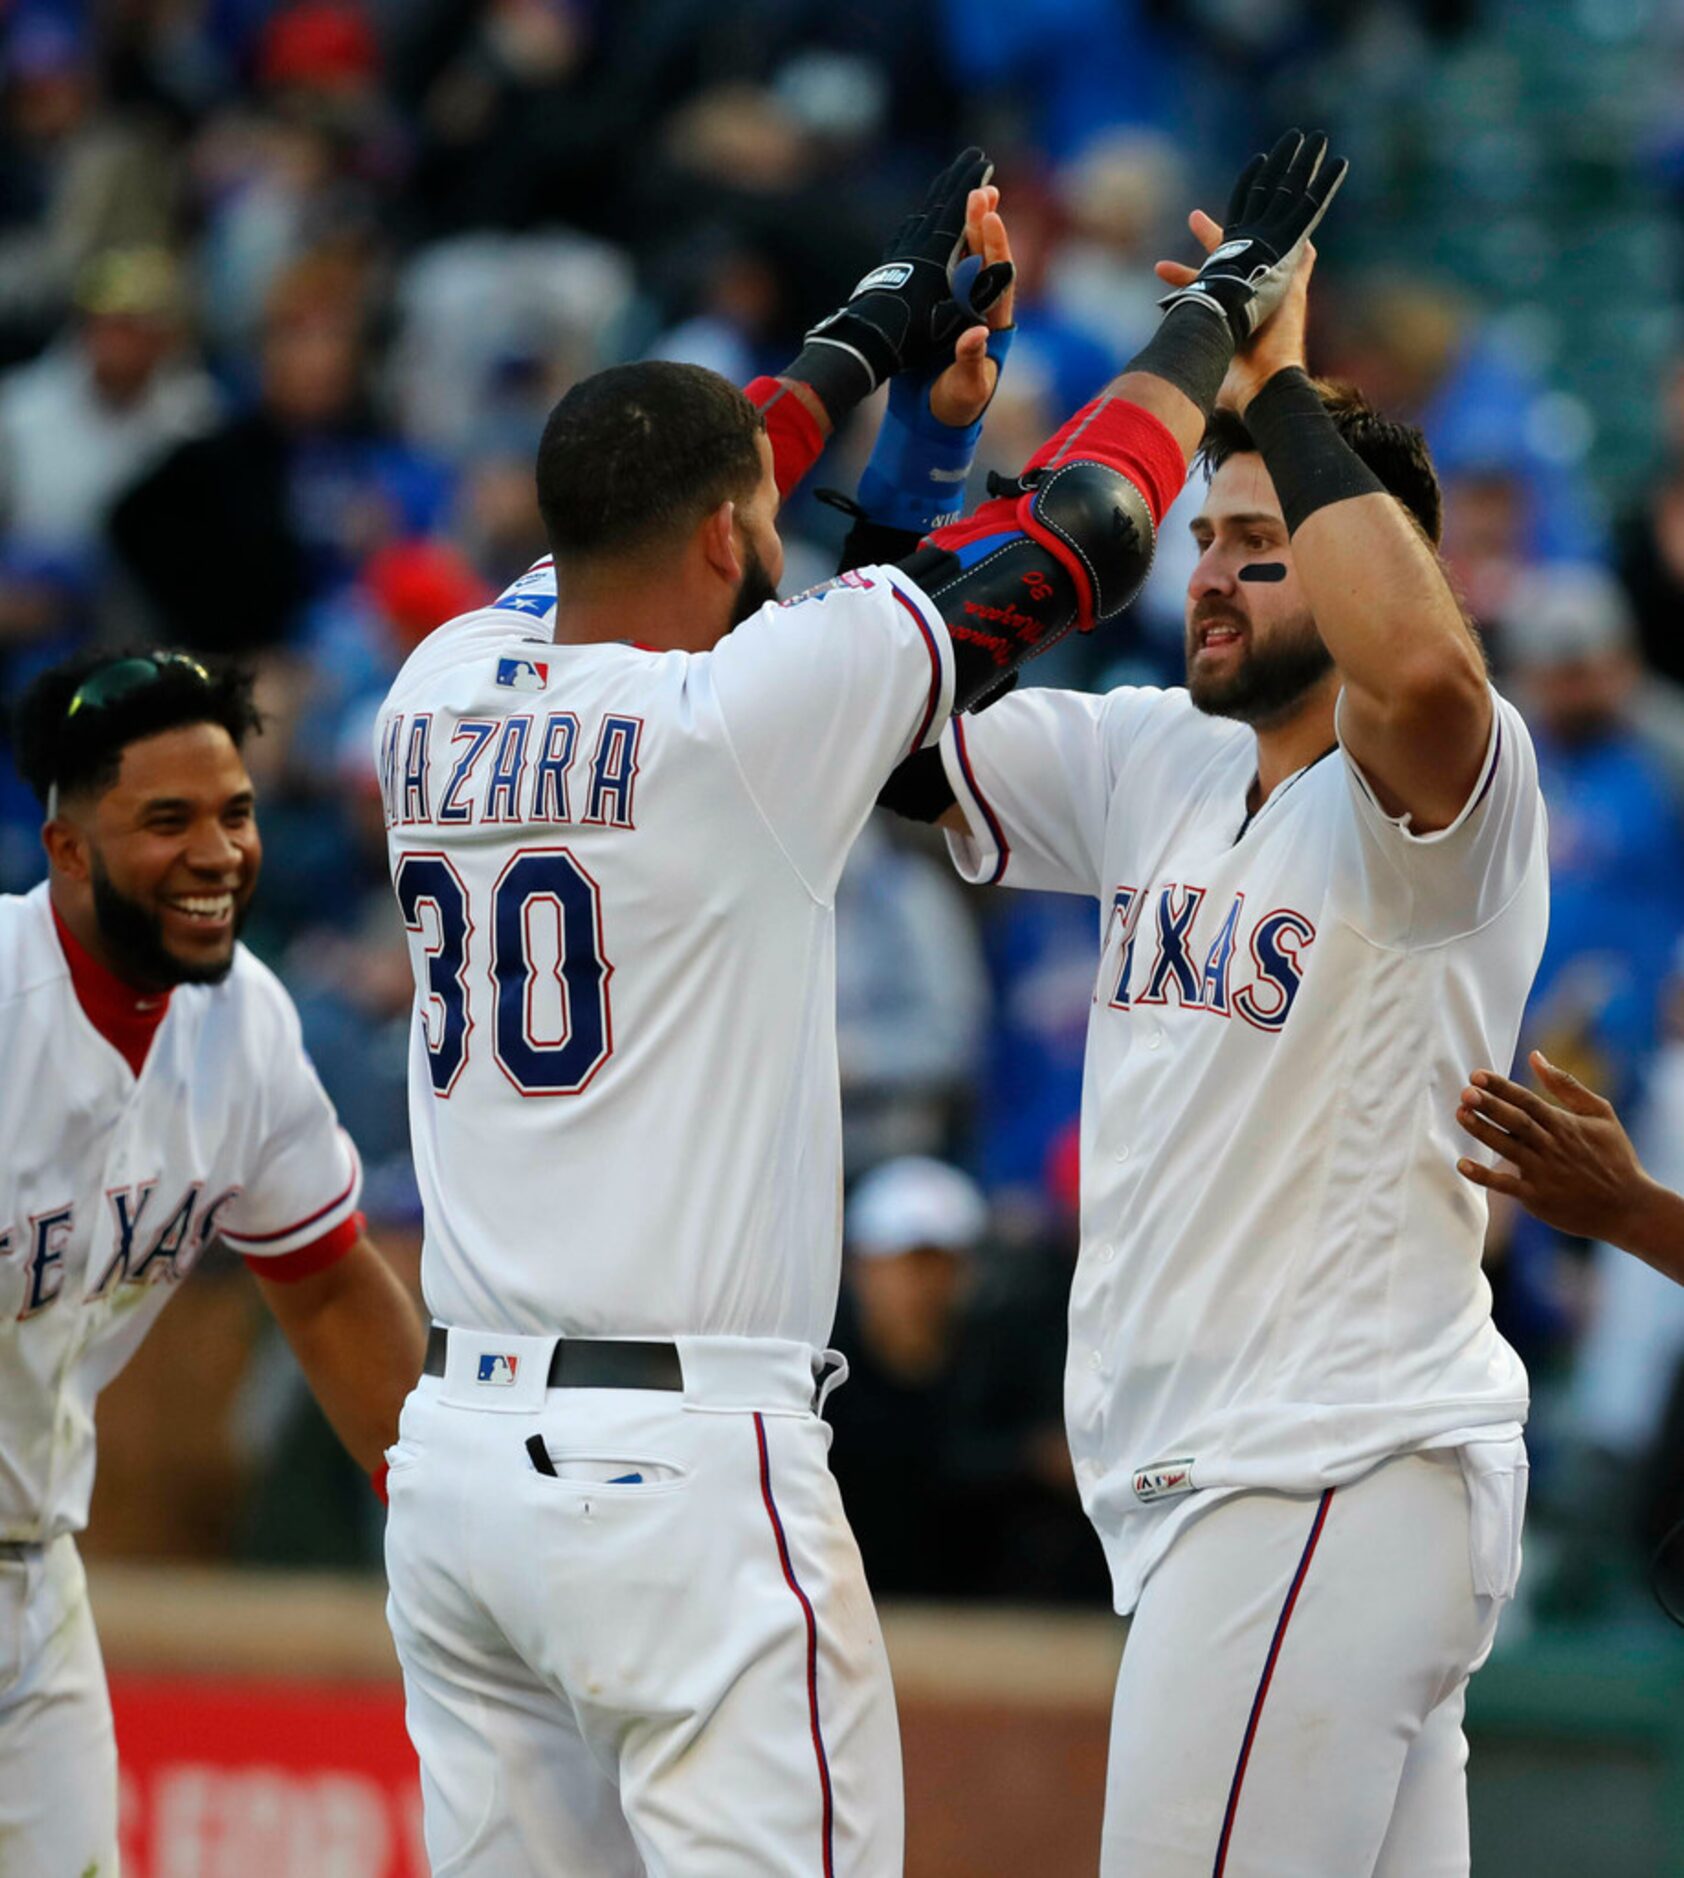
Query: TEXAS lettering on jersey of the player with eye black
1197,955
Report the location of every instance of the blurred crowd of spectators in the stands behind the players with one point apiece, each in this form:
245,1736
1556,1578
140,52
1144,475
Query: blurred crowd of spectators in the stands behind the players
290,286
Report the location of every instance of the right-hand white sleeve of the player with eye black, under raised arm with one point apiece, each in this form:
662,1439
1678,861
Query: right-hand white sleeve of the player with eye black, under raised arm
1411,891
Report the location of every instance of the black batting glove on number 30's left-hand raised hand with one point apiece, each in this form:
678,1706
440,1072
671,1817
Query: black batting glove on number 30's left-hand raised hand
904,316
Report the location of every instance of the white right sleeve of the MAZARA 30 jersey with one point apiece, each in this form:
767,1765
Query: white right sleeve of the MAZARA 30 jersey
821,698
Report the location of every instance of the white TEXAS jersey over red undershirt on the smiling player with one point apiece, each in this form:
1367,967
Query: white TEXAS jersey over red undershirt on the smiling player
114,1186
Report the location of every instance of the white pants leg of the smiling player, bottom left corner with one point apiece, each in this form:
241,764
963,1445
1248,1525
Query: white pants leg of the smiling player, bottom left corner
57,1744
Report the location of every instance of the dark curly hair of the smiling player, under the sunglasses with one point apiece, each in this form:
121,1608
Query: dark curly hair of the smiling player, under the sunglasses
84,748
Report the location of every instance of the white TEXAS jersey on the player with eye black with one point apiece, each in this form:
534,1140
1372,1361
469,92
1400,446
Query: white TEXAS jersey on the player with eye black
1279,1276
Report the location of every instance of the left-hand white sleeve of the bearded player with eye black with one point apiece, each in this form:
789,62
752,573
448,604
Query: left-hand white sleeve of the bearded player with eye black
1035,778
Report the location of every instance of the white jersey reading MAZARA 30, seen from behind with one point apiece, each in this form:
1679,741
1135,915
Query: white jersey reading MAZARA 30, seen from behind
619,869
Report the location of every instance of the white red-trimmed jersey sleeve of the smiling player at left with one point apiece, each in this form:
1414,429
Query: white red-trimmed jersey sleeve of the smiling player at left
305,1178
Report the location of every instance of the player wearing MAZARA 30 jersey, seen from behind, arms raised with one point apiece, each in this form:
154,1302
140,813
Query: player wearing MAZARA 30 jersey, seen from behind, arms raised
632,1616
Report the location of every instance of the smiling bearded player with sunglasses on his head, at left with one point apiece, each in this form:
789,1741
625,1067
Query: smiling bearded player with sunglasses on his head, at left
157,1100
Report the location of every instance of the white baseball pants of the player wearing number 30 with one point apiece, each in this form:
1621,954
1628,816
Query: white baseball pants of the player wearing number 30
677,1674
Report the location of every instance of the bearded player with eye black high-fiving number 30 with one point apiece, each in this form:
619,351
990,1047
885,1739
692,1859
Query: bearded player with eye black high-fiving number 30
1321,876
